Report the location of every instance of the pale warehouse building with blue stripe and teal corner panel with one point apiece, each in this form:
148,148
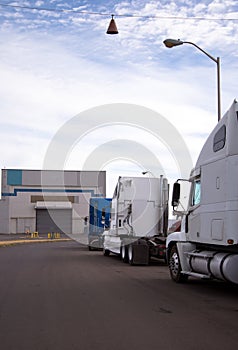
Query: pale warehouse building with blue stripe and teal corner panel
48,200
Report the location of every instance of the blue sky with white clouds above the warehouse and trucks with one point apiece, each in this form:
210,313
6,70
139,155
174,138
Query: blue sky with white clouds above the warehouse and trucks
61,72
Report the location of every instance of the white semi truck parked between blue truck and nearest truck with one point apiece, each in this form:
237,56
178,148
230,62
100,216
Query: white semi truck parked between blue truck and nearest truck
139,220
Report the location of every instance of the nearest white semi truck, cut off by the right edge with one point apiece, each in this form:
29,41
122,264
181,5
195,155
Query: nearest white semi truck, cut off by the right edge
207,246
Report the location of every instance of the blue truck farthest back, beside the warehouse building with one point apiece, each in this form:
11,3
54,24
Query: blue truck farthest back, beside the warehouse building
99,221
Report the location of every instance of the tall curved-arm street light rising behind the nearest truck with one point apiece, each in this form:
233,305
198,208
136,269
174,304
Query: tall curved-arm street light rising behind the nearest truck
172,42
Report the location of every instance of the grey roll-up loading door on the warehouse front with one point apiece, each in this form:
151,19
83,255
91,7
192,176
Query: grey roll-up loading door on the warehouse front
54,220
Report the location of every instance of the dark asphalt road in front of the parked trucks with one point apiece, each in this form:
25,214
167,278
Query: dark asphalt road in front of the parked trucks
61,296
